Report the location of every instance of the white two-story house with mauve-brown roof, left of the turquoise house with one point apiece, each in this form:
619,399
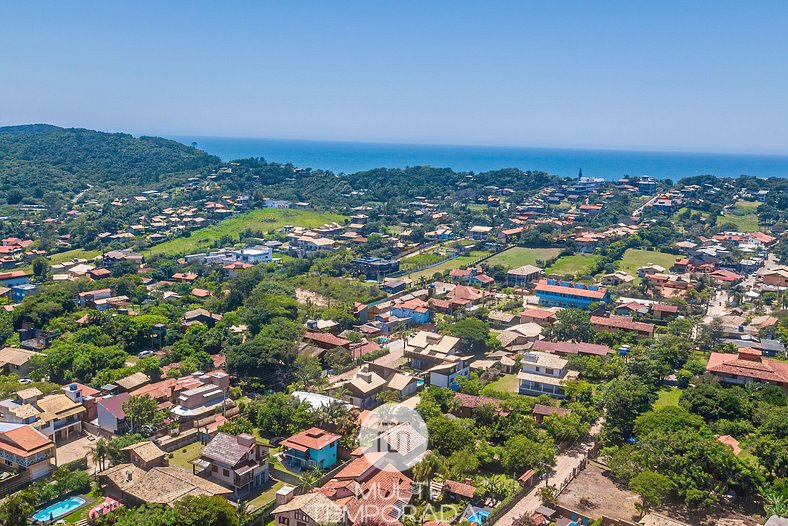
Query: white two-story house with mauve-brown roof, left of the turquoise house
237,461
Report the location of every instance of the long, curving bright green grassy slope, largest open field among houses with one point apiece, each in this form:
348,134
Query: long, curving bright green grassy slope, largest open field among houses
263,220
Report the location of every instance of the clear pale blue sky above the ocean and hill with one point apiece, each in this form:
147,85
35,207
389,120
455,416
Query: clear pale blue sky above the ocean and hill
705,76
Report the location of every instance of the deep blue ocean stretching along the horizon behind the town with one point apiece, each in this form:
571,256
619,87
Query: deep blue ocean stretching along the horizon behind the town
349,157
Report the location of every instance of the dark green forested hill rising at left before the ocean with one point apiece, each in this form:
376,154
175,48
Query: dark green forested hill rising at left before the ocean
40,159
